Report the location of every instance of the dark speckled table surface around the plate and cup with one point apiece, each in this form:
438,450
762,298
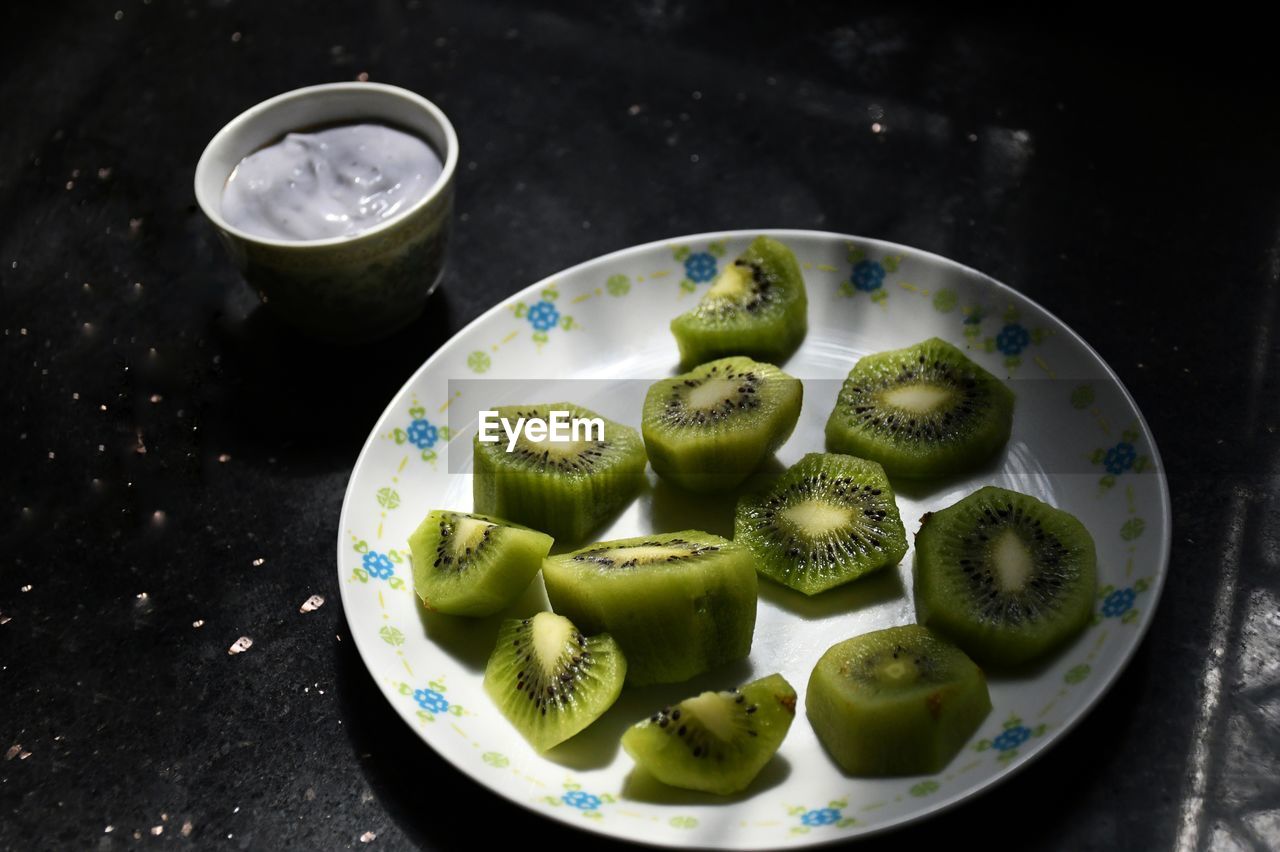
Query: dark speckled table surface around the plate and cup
175,461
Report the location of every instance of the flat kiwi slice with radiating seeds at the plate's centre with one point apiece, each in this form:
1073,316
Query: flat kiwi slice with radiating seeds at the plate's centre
829,520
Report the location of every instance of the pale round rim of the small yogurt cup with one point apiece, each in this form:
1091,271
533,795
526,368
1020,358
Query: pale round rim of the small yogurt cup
213,209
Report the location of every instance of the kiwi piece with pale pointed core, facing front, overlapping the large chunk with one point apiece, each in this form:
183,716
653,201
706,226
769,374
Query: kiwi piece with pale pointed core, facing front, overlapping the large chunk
551,680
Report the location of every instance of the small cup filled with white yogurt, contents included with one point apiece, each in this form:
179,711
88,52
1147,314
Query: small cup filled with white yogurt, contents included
349,253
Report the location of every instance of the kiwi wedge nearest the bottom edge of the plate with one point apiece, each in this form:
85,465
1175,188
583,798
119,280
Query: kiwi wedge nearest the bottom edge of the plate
716,743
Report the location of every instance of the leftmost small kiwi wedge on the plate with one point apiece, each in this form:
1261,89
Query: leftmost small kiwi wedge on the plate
473,565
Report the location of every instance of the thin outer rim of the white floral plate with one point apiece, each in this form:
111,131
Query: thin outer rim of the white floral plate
938,807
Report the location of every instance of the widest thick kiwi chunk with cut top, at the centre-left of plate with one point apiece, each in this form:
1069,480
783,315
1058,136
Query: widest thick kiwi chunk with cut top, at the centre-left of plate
678,603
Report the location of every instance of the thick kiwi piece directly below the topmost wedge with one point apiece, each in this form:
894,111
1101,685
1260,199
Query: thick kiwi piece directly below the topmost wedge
710,429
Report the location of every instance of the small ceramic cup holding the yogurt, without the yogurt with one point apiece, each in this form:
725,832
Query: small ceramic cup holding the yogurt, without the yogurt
346,290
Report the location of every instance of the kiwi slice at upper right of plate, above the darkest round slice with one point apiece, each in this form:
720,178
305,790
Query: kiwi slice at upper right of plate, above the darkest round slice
924,413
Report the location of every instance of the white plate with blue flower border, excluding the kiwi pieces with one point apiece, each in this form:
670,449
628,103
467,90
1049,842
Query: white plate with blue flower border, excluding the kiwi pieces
1078,442
